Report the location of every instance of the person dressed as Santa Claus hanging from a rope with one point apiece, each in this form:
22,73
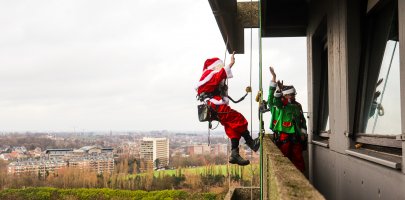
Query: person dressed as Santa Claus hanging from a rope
209,90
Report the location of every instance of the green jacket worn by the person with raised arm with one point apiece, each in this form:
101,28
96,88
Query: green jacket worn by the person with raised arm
285,117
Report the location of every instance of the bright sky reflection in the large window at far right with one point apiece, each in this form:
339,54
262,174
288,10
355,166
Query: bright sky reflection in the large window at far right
385,111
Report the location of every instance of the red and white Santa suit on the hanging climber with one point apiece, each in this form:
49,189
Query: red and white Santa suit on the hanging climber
213,74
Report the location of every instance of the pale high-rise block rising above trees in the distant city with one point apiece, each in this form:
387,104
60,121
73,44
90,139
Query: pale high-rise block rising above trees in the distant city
155,150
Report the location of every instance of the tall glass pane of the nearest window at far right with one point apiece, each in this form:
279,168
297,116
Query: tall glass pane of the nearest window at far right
381,110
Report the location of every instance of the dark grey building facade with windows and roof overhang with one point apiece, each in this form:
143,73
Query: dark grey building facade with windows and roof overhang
356,56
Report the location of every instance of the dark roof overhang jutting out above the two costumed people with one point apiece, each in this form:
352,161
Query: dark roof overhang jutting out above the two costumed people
280,18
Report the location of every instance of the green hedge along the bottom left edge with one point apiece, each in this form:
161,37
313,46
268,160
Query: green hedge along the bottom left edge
46,193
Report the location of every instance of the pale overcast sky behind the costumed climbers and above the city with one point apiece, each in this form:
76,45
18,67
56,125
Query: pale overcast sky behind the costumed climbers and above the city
127,65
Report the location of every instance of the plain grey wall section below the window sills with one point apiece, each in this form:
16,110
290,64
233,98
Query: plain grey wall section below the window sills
340,176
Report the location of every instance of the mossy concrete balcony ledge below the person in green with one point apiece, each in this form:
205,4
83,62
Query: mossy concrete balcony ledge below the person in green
281,179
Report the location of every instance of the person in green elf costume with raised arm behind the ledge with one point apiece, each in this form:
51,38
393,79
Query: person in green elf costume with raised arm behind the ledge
287,121
